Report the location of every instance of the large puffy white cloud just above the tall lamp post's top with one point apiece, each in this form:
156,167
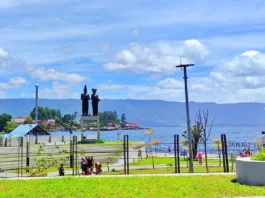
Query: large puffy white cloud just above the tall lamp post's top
158,57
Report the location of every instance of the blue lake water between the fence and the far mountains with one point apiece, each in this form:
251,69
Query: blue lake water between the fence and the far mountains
242,134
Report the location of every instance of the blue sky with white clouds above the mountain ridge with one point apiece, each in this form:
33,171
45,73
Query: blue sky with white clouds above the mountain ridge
128,49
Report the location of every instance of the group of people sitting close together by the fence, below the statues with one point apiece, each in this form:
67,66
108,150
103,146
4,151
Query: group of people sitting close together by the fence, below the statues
87,166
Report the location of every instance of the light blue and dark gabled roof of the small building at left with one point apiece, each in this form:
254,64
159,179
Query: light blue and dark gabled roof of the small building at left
28,129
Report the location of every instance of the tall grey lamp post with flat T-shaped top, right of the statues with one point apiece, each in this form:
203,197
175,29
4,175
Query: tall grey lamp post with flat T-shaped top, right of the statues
184,68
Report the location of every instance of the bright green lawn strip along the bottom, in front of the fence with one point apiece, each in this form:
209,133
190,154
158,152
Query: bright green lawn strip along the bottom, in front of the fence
181,186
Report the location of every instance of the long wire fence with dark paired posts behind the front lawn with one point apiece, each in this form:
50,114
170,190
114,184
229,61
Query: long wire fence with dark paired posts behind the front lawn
126,158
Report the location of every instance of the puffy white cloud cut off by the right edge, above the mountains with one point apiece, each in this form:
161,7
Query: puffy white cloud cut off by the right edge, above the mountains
244,71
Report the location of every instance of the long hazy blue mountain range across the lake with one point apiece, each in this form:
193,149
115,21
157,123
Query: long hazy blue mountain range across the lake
149,112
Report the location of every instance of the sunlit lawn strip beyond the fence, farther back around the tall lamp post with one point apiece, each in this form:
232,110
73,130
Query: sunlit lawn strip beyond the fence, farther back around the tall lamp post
168,160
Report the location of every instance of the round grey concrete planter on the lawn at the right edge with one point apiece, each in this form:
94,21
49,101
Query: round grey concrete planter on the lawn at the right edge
250,172
